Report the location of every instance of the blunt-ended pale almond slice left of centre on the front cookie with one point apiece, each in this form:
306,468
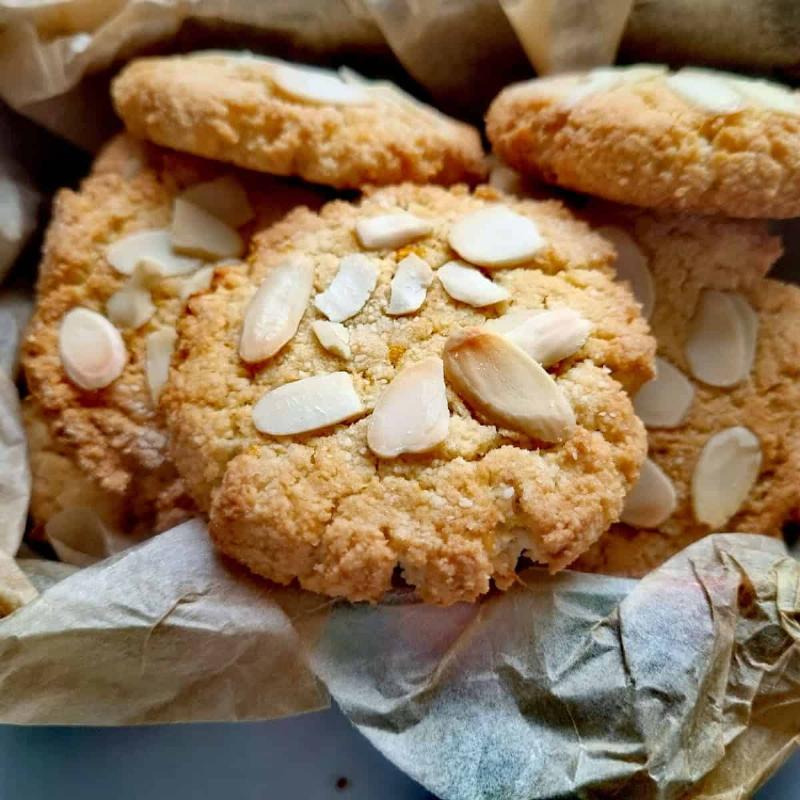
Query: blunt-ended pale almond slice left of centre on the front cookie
308,405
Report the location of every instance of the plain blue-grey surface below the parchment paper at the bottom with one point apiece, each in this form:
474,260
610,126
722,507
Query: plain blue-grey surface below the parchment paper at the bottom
303,757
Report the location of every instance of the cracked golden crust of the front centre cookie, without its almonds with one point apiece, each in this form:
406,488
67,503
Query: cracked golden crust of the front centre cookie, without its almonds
321,507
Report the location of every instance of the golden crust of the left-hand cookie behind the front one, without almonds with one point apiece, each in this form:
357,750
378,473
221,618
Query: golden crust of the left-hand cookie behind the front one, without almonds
112,440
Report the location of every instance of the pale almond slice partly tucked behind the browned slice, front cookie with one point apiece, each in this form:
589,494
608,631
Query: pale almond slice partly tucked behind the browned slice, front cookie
547,336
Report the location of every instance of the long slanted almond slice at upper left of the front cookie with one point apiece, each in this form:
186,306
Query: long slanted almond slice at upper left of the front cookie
276,309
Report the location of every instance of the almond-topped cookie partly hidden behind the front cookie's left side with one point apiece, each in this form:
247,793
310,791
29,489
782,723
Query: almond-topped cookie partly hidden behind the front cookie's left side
110,290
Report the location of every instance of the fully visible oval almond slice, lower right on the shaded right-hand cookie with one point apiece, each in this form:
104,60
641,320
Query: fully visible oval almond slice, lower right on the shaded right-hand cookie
724,475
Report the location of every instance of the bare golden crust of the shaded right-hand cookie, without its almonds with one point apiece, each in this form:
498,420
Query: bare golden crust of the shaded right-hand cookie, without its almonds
688,254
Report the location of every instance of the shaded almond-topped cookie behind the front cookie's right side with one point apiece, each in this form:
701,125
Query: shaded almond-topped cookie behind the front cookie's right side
722,414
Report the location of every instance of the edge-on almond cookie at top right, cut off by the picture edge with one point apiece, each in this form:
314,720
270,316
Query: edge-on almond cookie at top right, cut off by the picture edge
694,140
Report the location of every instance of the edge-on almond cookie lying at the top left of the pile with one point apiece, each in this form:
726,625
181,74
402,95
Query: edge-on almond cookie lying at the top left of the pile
288,119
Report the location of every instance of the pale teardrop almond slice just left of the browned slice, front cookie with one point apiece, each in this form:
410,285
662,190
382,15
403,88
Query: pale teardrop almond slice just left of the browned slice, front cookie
411,416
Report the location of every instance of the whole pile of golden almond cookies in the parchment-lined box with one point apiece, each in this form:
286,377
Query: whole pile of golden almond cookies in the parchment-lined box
284,300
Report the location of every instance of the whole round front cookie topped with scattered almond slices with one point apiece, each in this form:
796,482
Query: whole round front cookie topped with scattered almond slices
341,507
